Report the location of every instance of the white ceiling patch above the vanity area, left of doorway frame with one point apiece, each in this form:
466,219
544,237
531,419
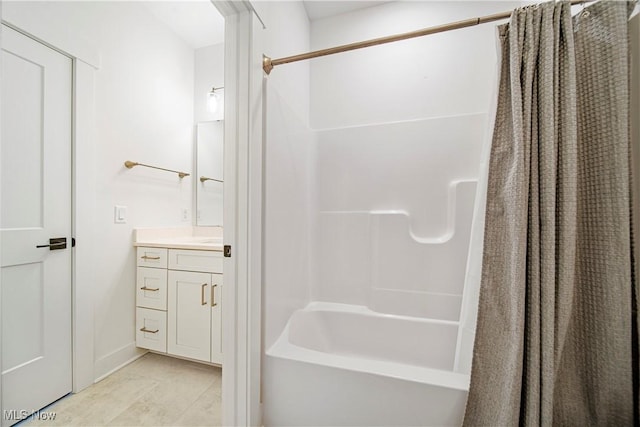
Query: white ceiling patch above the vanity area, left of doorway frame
197,22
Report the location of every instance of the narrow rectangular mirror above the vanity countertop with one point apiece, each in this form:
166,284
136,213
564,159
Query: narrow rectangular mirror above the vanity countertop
209,169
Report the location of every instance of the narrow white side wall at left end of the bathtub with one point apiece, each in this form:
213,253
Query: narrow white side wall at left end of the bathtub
289,148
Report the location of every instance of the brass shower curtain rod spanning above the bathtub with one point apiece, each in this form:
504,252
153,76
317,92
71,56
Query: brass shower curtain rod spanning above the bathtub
268,63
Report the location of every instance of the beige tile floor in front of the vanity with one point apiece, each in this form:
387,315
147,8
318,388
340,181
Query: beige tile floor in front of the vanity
154,390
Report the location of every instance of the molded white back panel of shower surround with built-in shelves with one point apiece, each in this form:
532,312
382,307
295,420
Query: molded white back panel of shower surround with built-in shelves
394,214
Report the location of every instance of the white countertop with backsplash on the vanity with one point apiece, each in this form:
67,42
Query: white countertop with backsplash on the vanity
199,238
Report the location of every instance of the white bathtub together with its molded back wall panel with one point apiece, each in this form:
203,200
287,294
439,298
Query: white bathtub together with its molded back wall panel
380,340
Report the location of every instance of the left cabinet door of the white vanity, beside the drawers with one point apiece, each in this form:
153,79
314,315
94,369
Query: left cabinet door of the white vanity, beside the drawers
189,315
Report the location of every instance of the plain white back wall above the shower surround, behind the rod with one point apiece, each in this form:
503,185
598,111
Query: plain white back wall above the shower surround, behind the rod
437,75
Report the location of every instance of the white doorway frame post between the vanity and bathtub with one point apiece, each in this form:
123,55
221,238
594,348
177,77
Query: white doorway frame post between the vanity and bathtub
242,334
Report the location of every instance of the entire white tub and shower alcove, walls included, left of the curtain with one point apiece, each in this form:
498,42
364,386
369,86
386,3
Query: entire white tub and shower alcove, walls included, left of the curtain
373,187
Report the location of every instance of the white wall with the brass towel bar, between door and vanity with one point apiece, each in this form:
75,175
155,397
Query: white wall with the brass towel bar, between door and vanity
144,112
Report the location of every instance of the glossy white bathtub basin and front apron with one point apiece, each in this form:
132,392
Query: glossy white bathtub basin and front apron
345,365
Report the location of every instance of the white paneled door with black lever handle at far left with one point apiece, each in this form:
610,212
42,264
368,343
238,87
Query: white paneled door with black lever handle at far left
36,207
